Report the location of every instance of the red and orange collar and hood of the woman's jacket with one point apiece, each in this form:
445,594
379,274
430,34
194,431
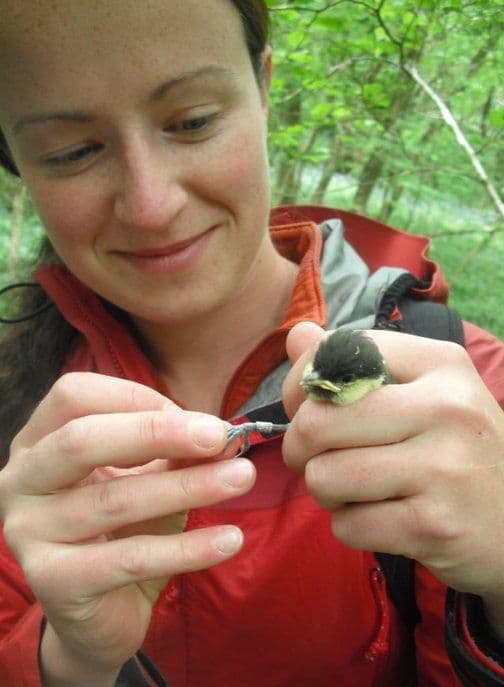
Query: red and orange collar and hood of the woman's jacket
108,346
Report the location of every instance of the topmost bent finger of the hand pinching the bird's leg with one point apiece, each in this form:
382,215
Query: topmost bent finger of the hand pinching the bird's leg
85,393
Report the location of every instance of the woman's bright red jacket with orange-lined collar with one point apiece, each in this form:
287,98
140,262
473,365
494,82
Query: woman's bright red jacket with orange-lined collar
295,608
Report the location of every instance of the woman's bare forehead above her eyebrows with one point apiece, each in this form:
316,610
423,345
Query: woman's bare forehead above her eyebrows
62,44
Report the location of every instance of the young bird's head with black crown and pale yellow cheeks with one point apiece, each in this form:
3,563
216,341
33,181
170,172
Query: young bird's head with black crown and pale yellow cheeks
347,366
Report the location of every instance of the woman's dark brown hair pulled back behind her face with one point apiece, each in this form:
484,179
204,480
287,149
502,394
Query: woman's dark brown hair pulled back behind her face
33,352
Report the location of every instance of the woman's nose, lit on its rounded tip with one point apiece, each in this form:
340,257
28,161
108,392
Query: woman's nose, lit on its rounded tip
150,193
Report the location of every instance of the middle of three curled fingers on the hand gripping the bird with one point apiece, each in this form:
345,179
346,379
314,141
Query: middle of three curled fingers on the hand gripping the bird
365,475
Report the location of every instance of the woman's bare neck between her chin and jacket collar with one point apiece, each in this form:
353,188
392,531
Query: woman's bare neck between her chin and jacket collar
198,358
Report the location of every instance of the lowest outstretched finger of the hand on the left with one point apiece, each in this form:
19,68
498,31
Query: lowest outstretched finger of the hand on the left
120,562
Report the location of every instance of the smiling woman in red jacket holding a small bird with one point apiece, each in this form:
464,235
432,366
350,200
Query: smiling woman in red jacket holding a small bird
140,131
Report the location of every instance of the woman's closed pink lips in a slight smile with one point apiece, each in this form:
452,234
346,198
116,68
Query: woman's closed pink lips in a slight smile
166,259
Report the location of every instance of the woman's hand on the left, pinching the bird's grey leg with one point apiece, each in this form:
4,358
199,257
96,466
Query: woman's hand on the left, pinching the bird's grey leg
92,501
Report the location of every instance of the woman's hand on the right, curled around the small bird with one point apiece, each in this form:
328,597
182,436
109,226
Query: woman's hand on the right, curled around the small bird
415,468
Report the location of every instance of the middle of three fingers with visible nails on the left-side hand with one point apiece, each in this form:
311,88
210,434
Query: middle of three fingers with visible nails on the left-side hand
98,509
